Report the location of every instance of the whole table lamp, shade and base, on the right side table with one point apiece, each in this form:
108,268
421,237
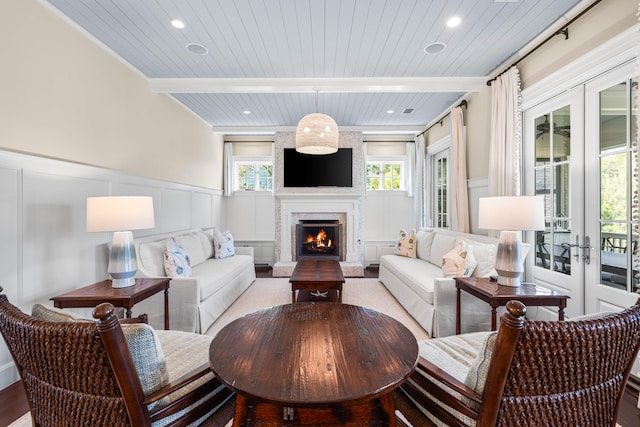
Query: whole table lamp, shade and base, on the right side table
510,215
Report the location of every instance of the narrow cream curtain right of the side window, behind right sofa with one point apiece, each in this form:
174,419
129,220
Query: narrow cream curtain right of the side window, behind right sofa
460,201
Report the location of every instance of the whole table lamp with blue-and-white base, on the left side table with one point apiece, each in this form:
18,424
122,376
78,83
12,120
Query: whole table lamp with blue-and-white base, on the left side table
120,214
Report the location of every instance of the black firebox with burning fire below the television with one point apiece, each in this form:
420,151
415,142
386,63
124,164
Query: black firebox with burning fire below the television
318,238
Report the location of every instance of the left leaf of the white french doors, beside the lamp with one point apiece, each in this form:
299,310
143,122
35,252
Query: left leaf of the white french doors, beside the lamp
554,170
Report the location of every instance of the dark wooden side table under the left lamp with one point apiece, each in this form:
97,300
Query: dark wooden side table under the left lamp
92,295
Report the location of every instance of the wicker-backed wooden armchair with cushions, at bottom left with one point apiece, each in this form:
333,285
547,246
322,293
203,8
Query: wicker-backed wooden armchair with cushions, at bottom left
79,372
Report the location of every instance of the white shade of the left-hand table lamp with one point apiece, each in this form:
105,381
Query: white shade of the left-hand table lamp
119,213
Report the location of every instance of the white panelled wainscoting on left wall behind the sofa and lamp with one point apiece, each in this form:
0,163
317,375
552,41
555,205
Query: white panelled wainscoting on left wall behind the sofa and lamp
45,248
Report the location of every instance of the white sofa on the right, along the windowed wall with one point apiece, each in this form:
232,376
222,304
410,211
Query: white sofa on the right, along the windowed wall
420,287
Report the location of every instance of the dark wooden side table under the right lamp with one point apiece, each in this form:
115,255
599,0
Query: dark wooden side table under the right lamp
498,295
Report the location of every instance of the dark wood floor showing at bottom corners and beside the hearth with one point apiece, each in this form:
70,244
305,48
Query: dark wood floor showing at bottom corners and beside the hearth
13,400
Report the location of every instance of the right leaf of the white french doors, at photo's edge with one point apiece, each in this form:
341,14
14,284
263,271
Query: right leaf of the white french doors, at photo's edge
611,207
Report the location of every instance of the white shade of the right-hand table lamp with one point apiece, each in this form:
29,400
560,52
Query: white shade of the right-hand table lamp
511,213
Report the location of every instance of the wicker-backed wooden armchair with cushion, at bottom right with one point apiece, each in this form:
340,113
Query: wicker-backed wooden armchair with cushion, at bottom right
529,373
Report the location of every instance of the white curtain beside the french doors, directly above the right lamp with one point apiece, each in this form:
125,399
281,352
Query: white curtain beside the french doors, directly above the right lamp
504,149
